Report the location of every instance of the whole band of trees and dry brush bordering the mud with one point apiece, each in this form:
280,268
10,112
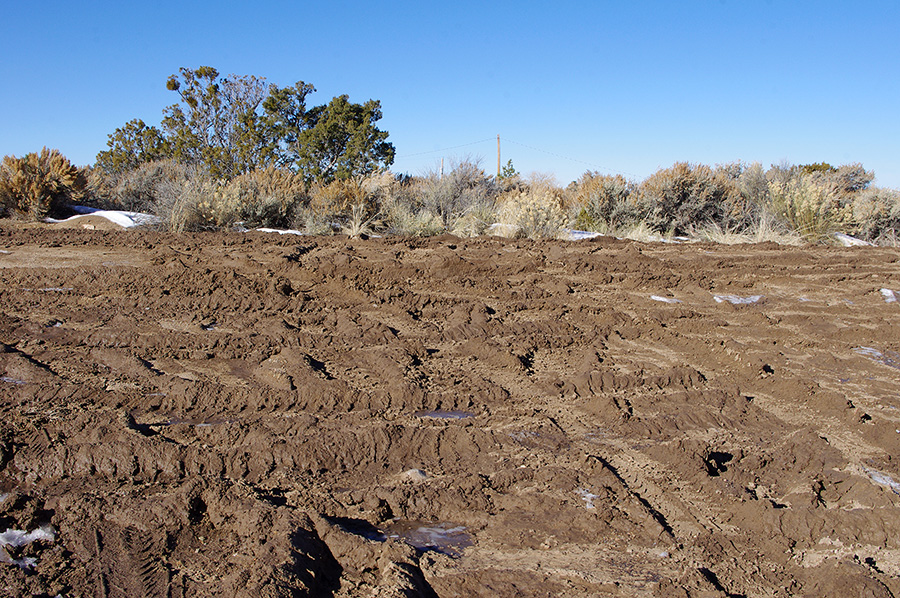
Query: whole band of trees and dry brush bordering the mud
235,153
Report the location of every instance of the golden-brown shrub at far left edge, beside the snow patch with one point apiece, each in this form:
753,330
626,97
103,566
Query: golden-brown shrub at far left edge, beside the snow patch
39,184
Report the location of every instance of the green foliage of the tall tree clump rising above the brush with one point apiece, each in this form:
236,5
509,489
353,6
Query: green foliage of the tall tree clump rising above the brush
233,125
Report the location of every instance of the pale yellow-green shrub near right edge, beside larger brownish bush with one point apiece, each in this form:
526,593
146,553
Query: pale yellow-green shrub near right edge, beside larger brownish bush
813,211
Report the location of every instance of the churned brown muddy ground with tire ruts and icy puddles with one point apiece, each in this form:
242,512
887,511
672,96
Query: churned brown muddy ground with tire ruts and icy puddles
230,414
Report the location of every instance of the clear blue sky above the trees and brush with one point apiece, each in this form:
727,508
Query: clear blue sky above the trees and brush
625,86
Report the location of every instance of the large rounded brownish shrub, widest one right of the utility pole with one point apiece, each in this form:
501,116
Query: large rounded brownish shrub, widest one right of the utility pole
675,198
